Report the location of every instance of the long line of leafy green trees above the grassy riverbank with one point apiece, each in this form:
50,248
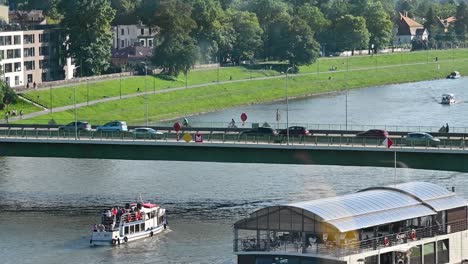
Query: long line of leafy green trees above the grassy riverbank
232,31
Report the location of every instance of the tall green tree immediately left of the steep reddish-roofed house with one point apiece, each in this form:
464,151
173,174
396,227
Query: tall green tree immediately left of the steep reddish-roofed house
379,25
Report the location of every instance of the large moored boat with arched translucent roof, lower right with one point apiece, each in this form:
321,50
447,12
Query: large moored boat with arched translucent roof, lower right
415,222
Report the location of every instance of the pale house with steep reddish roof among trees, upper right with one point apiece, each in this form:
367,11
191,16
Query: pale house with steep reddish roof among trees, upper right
407,30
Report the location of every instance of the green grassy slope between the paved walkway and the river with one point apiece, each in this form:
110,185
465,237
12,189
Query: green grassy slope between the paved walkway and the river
363,71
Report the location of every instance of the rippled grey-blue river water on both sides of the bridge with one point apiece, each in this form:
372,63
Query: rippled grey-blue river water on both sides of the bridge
48,206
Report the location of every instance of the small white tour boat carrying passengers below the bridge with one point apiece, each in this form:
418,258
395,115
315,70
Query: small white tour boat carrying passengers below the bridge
135,221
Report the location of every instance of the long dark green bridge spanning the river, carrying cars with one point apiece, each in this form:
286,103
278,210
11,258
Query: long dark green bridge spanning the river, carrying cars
219,146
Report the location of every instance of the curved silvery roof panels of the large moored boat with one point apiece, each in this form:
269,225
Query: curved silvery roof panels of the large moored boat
380,205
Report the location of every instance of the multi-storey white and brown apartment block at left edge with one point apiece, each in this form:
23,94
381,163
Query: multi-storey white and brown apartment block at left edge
31,56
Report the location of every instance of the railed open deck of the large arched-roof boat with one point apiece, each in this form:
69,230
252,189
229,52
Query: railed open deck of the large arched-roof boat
346,247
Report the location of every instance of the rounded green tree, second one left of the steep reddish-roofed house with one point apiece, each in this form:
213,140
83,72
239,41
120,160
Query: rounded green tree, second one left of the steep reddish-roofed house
351,33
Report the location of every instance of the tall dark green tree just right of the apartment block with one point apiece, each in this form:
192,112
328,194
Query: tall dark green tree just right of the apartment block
87,25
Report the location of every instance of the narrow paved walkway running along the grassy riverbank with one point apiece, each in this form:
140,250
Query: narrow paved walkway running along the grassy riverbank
169,90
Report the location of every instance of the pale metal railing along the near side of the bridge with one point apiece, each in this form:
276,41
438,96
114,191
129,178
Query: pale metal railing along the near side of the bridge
232,136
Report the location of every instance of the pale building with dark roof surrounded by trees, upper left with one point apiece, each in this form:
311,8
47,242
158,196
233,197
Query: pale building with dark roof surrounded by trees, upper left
132,35
